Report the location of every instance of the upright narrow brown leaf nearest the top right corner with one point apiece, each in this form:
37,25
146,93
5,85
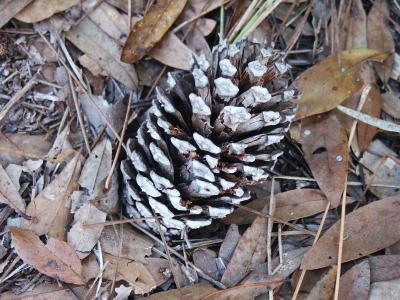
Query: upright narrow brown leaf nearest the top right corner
380,37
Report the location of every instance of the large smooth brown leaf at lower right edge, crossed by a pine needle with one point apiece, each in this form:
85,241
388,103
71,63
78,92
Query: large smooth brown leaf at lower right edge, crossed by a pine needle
368,229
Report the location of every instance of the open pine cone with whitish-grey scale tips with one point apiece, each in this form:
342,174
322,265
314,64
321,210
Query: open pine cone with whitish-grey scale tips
212,133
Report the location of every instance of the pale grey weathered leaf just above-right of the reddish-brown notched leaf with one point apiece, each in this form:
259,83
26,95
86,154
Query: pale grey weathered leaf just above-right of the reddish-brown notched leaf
82,238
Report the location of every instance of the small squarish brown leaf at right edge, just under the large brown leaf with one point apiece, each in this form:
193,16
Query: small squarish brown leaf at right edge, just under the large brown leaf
384,267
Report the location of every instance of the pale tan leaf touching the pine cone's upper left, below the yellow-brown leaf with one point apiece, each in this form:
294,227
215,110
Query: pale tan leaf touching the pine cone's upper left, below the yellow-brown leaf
172,52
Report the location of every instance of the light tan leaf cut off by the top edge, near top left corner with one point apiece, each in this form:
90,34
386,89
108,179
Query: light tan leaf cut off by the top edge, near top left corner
39,10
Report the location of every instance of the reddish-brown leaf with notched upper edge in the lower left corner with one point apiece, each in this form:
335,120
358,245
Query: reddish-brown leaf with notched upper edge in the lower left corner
56,259
